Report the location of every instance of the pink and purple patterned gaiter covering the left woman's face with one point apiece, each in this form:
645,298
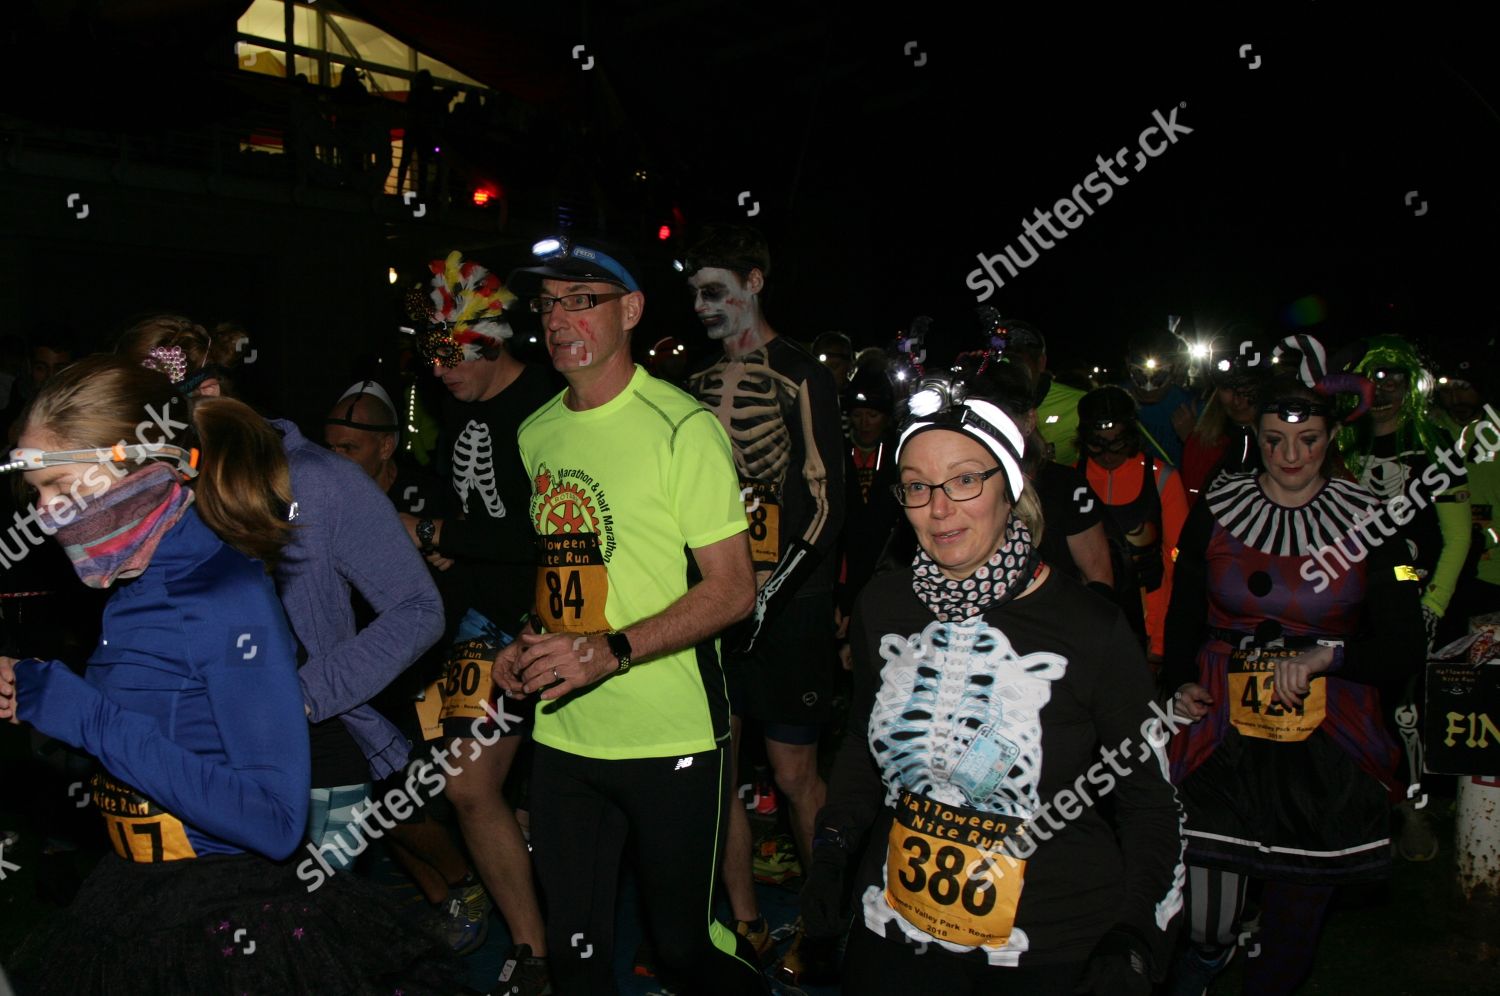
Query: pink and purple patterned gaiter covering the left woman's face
115,536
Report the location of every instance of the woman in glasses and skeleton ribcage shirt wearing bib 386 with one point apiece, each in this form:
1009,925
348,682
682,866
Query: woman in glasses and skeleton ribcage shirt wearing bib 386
997,703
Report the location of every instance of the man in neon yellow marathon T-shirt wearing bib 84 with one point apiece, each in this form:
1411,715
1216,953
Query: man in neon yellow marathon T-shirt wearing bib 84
644,562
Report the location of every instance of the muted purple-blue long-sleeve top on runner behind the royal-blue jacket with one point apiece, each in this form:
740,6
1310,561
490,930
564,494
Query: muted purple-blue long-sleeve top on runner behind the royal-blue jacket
347,533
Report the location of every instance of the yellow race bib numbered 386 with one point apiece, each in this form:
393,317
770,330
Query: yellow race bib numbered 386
947,875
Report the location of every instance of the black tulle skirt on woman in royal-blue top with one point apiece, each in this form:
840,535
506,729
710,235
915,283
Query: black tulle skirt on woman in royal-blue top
233,925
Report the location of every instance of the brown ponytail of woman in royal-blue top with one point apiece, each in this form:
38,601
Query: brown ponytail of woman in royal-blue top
244,482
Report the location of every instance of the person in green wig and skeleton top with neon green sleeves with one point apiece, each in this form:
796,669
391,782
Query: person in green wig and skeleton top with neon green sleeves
1406,460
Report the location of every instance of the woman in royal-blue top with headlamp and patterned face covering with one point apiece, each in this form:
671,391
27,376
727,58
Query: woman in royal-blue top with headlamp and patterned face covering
191,704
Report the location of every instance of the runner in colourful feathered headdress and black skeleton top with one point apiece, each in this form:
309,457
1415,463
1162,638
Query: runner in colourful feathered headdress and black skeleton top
491,550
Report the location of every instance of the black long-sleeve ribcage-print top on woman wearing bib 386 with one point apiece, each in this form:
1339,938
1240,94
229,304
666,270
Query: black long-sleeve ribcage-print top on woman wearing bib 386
1096,737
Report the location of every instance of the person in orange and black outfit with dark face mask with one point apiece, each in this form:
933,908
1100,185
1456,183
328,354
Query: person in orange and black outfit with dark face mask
1145,502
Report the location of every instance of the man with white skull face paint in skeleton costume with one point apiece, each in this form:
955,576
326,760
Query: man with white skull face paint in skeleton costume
781,409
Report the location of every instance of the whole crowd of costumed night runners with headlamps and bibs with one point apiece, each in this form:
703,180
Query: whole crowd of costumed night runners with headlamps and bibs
1121,668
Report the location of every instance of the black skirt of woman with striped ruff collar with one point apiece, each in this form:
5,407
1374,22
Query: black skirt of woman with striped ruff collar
1298,812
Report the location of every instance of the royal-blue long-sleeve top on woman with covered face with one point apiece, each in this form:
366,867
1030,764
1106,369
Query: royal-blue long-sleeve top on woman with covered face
191,700
